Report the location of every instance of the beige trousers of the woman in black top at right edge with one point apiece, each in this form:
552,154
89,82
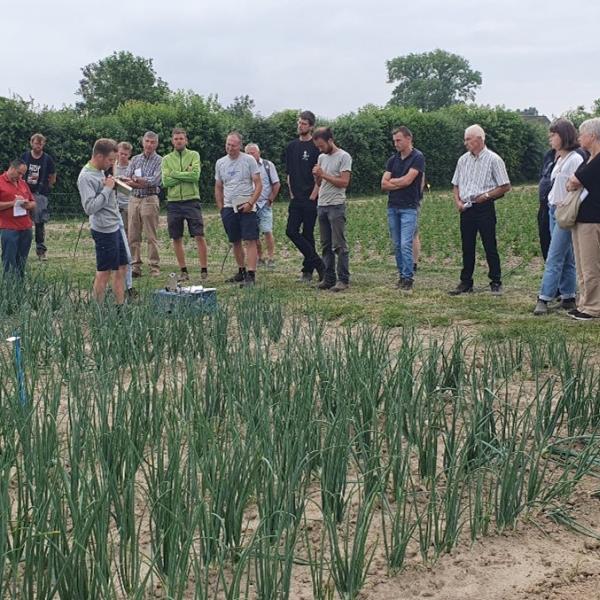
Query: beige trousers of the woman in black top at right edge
586,244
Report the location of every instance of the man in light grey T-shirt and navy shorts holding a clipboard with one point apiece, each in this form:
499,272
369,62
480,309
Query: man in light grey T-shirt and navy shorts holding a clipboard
237,189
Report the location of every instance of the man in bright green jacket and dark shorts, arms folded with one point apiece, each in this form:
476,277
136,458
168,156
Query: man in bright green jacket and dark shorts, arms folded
180,175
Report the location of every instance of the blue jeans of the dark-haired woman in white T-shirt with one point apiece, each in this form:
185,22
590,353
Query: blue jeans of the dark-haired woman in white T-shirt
559,273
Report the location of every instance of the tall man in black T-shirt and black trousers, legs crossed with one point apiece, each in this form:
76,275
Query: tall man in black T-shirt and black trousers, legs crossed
300,157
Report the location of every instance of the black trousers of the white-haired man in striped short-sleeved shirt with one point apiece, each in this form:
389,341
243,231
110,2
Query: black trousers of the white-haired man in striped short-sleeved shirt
479,219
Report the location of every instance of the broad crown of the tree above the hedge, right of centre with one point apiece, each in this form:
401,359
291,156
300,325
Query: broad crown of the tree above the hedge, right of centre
432,80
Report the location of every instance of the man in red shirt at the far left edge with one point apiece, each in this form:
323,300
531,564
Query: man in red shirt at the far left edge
16,206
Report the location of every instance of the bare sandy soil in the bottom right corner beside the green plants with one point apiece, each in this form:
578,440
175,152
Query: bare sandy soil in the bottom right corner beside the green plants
536,562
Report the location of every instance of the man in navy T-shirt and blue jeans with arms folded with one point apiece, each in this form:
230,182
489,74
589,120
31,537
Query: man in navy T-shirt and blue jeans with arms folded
402,180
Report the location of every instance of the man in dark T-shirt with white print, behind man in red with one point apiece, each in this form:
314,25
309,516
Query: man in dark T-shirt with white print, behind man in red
40,177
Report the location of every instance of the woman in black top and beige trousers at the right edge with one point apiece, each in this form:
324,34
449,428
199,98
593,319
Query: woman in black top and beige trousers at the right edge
586,232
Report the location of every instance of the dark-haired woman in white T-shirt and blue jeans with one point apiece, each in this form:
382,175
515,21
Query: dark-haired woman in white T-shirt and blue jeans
559,272
